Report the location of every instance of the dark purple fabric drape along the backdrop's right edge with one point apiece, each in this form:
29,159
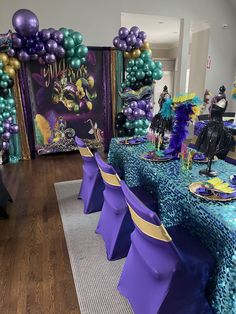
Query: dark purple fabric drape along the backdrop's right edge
106,97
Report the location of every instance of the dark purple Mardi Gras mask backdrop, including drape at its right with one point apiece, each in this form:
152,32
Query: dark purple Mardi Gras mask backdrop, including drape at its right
68,103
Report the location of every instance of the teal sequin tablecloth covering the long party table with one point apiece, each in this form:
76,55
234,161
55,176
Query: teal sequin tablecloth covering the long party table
213,222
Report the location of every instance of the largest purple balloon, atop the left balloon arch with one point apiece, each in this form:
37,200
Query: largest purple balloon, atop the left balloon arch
25,22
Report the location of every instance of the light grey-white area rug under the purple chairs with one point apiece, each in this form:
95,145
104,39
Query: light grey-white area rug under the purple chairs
95,277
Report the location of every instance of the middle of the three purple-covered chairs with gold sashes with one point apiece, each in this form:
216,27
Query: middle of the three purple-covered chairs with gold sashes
115,224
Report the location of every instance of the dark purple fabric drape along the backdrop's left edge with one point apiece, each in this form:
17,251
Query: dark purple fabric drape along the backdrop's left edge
25,95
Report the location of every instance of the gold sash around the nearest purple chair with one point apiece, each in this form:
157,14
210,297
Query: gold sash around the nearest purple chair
153,231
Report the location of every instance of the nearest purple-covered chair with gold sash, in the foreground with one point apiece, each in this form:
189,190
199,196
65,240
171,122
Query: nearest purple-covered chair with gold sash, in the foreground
165,272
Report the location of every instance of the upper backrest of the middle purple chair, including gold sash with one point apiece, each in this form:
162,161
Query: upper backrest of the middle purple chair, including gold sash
108,173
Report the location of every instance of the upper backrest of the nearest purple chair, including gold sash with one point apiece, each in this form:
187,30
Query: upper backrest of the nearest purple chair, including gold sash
145,220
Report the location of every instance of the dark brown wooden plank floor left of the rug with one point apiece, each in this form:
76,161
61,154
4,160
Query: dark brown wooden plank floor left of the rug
35,272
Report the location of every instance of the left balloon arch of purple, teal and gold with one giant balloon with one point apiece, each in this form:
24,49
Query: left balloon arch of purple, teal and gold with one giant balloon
28,43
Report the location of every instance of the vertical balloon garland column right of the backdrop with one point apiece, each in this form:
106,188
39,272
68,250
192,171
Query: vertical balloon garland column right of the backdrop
141,71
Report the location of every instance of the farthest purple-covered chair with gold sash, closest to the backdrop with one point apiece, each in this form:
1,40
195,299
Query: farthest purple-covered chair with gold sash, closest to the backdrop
91,190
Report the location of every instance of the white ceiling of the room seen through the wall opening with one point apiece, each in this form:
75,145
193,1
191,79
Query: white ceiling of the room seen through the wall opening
162,31
